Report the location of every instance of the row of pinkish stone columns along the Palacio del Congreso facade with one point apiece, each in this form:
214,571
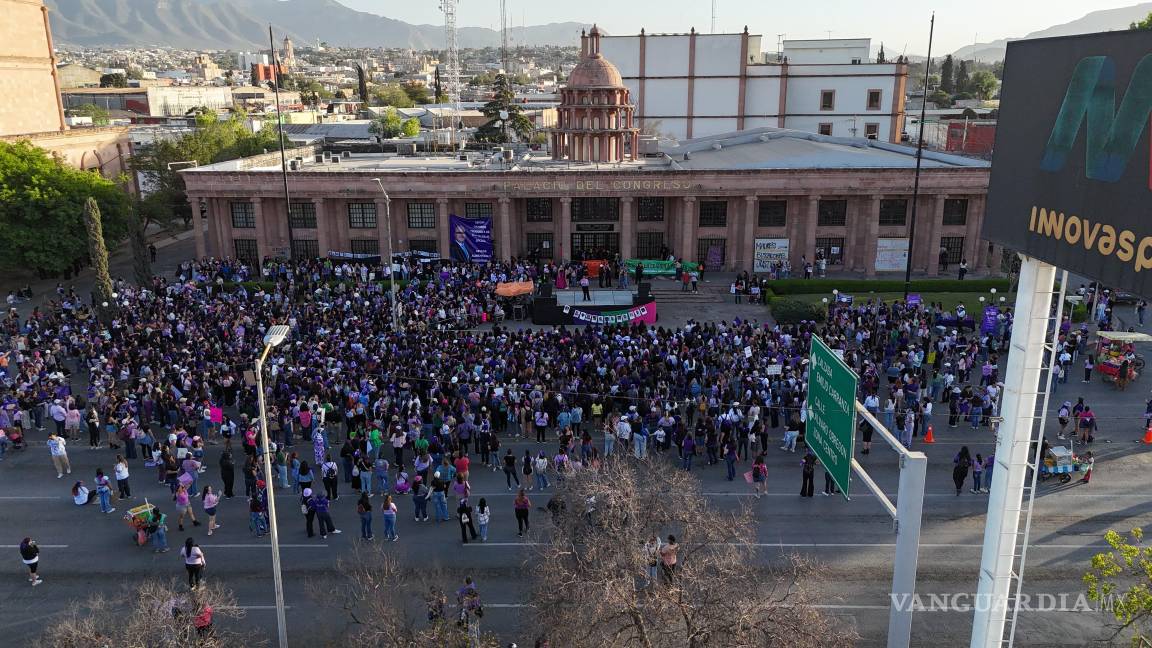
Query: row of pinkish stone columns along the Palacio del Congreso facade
861,231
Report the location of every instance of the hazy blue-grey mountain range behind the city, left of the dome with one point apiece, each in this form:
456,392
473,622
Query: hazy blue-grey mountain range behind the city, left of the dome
215,25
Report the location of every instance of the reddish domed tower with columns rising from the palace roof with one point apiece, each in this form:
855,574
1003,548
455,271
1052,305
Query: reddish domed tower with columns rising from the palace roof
595,117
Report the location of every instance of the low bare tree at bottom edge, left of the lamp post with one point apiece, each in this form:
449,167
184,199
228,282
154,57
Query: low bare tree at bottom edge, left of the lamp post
155,615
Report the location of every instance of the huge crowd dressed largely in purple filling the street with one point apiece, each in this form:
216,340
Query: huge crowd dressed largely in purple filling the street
403,418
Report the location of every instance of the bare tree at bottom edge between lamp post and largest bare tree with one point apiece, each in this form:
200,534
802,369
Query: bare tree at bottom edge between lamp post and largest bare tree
390,606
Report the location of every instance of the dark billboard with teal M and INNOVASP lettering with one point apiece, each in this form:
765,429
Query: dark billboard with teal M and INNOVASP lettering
1071,175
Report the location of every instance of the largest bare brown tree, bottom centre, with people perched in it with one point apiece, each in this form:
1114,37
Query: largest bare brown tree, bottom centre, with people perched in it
593,587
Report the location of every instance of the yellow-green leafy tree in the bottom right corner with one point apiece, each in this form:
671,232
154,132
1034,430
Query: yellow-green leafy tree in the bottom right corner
1121,582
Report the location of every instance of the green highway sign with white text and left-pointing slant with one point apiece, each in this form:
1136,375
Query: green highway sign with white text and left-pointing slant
831,427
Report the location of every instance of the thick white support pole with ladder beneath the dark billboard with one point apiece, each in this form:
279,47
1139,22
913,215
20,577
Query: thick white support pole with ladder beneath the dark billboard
1022,387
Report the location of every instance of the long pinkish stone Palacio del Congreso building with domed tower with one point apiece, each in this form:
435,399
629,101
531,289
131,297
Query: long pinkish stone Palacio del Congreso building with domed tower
711,200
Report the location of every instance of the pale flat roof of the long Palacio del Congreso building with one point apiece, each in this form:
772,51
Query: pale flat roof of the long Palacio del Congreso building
761,149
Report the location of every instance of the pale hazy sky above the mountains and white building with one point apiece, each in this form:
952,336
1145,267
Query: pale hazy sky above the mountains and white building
897,24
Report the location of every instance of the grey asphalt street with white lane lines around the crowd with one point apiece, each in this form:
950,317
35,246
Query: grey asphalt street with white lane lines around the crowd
86,552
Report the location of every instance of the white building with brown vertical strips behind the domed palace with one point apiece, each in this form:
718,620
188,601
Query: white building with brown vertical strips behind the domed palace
689,86
